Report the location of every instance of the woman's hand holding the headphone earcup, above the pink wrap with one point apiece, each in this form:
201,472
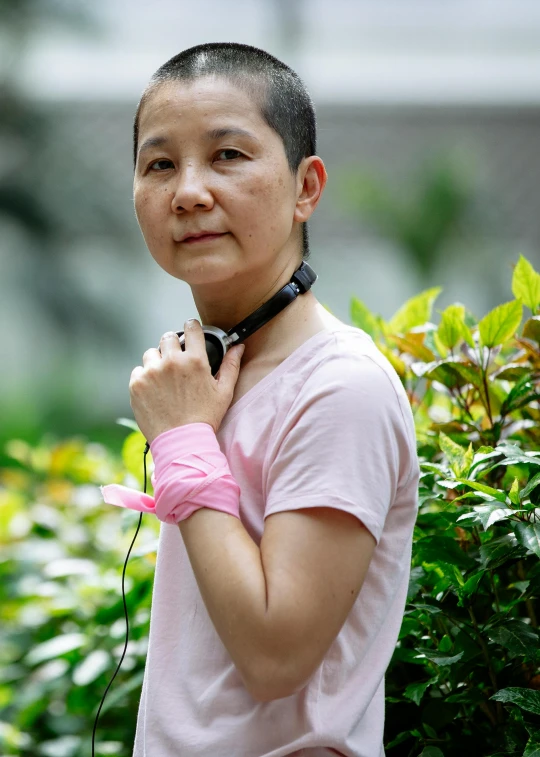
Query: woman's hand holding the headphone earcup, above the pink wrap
175,387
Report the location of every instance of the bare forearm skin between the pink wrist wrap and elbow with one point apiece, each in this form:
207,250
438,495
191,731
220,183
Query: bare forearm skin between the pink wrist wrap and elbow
230,574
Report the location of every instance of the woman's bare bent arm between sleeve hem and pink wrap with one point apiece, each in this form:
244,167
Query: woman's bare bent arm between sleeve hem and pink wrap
278,609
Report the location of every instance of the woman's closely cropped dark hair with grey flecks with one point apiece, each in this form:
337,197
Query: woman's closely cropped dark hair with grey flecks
285,104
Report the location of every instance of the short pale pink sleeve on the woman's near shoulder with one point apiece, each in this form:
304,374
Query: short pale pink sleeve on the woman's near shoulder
343,444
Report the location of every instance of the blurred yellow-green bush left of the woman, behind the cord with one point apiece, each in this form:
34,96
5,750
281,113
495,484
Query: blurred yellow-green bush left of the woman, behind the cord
62,620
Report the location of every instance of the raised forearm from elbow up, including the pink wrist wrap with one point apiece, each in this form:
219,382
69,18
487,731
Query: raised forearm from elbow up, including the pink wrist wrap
228,566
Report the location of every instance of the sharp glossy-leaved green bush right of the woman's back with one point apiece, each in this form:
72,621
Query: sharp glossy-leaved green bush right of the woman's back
464,678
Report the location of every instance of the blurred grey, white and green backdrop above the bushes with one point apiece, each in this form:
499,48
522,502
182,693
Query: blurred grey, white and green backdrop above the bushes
429,123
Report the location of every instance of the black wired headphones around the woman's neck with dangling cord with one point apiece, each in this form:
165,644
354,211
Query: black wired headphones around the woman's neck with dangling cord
218,342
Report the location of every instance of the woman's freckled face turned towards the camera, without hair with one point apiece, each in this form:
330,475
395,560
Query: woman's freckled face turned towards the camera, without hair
213,192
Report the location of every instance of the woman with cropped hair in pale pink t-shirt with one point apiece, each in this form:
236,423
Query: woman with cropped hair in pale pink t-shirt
287,483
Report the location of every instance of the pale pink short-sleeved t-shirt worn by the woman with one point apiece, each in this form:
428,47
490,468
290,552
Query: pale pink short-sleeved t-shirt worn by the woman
331,426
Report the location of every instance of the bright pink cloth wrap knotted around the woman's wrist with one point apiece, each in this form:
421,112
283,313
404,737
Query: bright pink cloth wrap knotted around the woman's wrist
190,472
